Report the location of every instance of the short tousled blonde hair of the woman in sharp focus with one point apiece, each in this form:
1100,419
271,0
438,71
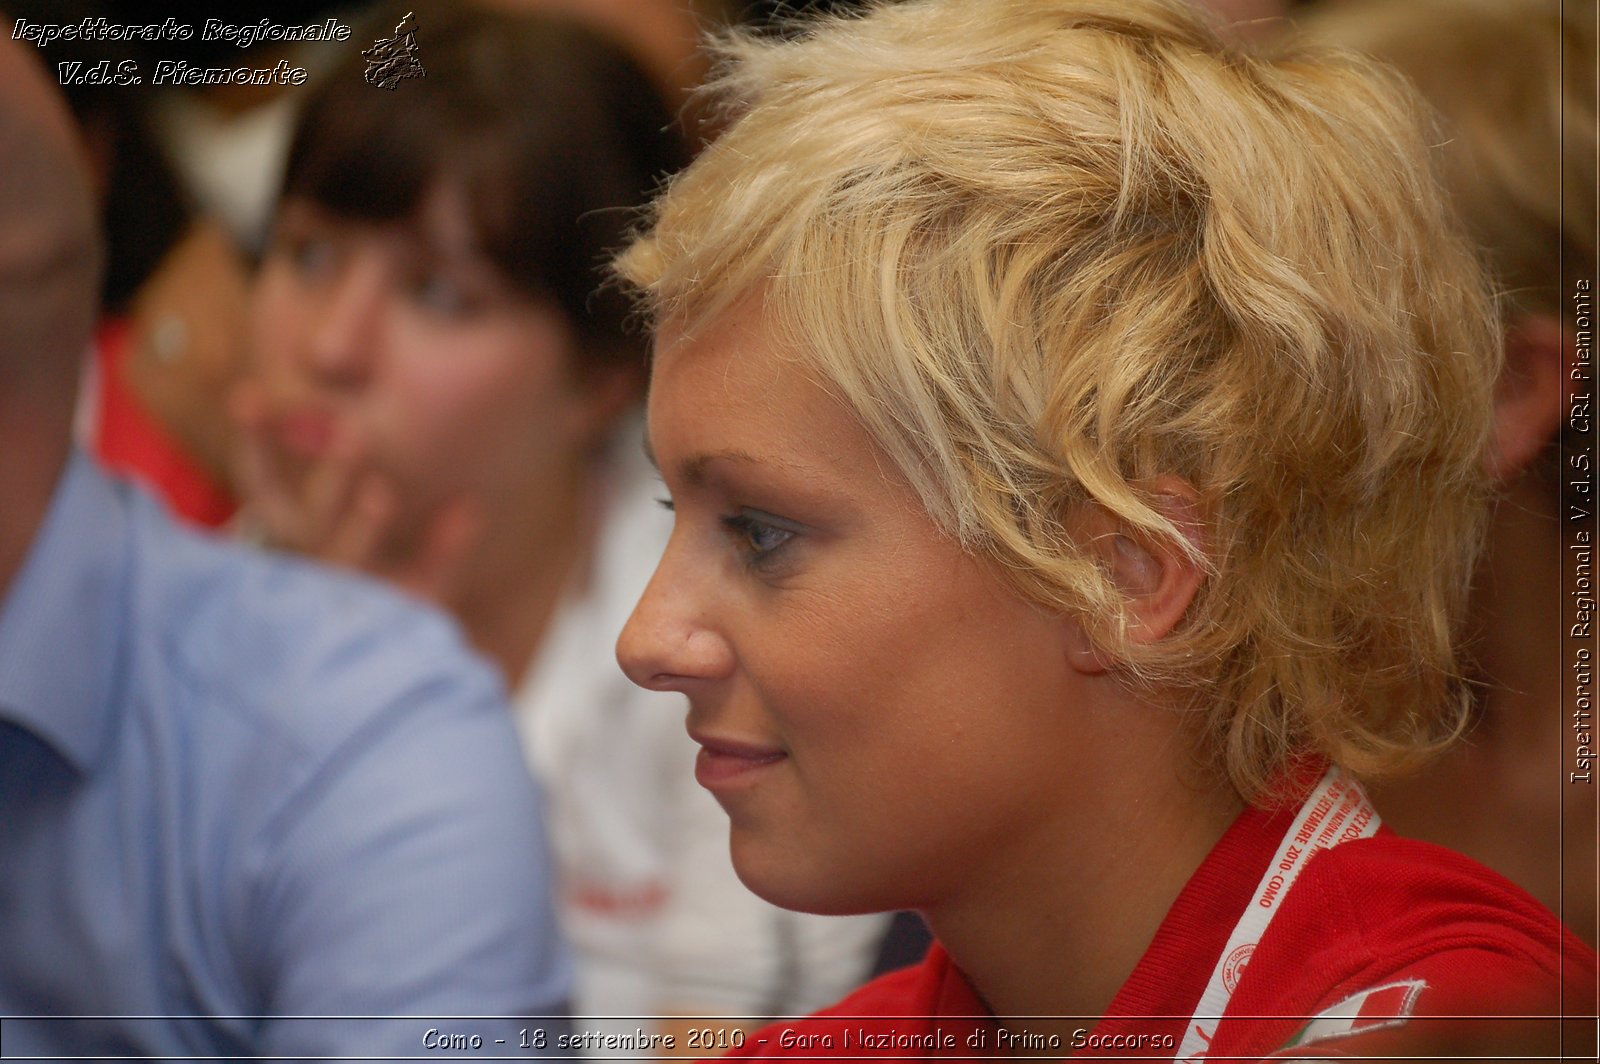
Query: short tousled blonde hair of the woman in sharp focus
1052,250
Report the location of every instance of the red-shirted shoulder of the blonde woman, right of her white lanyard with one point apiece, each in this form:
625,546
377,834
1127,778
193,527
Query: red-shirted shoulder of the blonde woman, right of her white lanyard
1391,946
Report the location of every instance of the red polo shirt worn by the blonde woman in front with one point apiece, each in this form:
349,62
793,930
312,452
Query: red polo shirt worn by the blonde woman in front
1375,934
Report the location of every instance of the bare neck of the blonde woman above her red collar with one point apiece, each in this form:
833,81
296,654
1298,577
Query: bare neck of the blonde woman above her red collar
1063,930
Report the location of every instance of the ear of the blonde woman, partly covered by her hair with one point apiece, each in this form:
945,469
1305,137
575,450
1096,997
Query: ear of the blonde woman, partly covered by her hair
1158,578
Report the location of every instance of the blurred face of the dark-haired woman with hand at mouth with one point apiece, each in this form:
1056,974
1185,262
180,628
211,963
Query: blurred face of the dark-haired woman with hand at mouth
406,342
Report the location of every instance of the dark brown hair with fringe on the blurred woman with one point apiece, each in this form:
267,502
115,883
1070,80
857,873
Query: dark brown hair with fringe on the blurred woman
550,130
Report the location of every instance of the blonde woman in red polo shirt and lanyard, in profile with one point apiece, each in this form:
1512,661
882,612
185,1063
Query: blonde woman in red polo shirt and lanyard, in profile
1074,430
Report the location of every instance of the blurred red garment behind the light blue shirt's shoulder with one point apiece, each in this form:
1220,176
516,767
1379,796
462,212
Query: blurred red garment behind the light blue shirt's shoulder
130,442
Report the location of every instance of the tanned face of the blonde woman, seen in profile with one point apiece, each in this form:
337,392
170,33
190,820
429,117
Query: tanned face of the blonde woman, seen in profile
882,718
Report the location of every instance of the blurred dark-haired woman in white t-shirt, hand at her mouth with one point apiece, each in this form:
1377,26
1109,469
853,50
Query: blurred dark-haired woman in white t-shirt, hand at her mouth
441,398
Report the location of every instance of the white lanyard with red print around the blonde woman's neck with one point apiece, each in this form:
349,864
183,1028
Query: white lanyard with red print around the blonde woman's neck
1335,812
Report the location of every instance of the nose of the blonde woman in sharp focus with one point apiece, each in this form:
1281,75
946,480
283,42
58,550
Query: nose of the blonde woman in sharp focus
671,642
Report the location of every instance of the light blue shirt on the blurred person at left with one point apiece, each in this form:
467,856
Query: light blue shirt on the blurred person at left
241,790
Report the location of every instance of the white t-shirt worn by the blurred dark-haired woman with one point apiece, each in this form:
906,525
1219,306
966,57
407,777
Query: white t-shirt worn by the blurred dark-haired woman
650,900
